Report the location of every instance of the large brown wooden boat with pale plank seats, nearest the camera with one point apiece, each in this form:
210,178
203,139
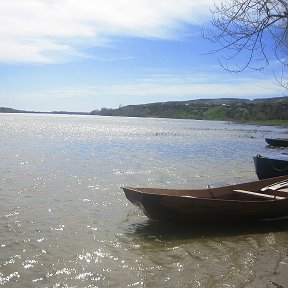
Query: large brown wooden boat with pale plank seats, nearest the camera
259,200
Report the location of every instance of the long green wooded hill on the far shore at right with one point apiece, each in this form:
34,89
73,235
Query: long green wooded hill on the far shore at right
234,109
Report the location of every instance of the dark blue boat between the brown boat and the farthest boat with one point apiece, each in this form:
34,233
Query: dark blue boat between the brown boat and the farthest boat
266,167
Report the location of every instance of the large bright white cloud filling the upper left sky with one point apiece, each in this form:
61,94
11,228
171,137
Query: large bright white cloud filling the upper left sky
42,31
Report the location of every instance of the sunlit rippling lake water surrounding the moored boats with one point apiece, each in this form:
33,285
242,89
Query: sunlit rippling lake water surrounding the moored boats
65,222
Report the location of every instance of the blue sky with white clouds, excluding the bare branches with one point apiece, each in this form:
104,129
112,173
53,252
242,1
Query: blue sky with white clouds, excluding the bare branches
72,55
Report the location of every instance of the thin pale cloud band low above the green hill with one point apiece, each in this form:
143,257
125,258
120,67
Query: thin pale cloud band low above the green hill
241,88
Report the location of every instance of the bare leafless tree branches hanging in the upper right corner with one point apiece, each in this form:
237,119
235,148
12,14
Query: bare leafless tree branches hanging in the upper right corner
245,29
